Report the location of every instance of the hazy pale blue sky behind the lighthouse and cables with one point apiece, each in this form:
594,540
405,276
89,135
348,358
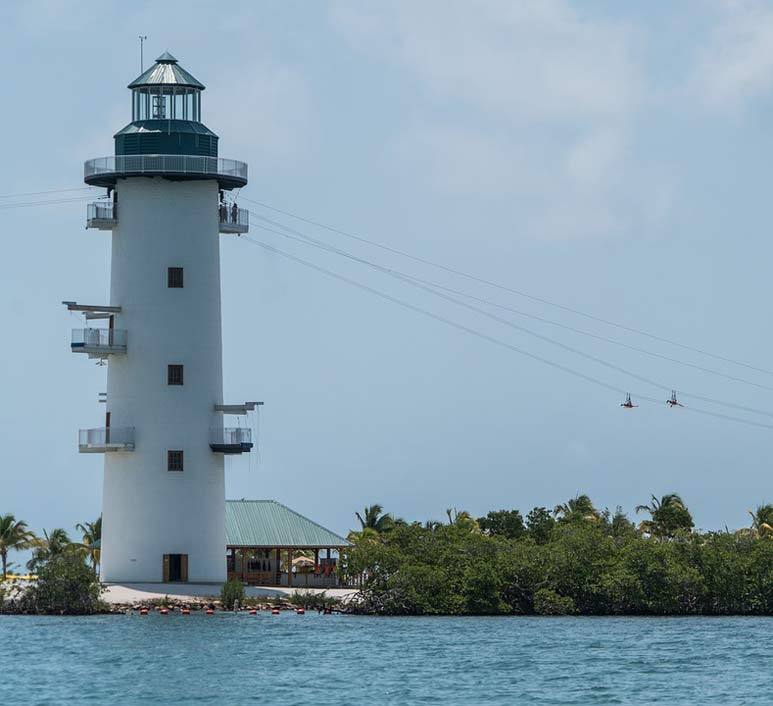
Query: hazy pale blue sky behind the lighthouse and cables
613,158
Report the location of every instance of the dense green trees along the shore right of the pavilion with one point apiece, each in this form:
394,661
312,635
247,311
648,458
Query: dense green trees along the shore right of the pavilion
571,559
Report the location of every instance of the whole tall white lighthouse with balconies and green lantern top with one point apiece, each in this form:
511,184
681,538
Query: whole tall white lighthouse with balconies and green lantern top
164,435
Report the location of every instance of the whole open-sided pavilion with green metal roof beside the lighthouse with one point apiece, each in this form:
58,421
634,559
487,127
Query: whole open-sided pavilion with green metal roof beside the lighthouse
268,544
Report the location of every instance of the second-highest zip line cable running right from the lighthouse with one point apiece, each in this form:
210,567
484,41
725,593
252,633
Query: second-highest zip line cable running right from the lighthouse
518,311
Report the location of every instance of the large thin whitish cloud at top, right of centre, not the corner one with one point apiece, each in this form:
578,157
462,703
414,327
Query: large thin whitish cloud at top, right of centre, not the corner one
528,100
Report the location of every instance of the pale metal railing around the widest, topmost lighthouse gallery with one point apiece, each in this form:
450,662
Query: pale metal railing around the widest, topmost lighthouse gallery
164,164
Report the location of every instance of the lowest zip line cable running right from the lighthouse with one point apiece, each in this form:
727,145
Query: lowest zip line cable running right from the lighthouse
486,337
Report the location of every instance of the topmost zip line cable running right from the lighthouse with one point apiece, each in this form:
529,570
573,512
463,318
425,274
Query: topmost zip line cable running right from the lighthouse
502,287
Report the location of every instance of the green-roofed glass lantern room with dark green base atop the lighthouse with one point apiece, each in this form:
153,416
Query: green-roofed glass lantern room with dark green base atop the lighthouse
166,114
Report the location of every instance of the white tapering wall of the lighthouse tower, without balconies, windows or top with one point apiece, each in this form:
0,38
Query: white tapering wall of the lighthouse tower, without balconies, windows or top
150,511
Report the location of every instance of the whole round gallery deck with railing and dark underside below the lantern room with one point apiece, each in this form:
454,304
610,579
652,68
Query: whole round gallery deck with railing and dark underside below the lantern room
104,171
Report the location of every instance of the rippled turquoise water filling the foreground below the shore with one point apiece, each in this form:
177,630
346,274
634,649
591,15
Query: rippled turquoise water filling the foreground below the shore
332,659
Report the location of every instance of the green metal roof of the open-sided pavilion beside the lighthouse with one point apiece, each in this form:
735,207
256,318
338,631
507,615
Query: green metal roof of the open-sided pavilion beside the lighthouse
267,523
